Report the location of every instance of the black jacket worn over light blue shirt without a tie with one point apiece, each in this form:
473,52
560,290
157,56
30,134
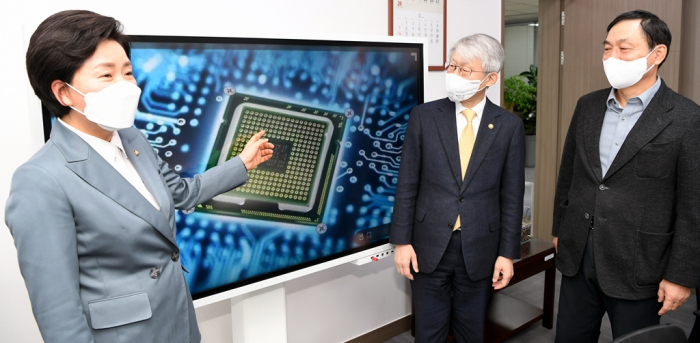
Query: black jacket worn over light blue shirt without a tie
646,208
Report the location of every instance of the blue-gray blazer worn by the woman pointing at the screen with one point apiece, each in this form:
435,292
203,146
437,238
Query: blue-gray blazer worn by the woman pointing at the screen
99,261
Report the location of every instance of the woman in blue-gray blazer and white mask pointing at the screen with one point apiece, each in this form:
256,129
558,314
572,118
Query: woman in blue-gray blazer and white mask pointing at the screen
92,212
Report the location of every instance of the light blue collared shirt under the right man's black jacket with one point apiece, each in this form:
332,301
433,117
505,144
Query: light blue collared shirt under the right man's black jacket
619,122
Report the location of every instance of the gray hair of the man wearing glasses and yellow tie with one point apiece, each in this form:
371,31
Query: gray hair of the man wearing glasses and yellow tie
482,47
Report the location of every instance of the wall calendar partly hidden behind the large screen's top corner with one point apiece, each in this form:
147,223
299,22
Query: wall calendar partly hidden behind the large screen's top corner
421,18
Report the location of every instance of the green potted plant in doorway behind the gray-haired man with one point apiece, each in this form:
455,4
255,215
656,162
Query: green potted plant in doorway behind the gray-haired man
520,97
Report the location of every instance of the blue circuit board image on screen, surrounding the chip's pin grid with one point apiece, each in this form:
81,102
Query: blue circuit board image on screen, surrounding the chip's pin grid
186,87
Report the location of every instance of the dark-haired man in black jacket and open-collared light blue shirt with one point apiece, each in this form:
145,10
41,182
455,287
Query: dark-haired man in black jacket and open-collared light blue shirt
627,205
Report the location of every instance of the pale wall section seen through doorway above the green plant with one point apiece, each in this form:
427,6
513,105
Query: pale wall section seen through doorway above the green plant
521,49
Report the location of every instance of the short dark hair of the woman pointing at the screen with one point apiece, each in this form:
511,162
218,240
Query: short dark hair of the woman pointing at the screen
60,46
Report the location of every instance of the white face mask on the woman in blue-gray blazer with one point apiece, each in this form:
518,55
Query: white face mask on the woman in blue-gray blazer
114,107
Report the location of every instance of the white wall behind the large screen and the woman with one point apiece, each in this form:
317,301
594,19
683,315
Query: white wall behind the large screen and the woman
330,306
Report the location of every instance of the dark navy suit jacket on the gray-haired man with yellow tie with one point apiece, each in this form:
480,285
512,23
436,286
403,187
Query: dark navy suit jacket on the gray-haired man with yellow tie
430,191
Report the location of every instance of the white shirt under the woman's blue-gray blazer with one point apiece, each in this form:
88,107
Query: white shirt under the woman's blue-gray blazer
113,153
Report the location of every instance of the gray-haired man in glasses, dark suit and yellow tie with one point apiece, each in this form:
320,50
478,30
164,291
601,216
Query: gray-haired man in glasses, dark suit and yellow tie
459,199
